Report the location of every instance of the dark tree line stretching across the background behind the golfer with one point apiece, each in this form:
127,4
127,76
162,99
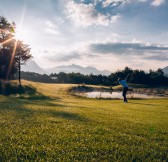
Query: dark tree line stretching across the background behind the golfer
151,78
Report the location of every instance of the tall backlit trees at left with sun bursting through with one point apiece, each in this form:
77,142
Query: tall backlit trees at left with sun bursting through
13,53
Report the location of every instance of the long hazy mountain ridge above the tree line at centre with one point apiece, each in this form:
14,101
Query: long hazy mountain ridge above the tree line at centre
77,69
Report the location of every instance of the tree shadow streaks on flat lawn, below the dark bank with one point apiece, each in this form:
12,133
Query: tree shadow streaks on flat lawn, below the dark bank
20,109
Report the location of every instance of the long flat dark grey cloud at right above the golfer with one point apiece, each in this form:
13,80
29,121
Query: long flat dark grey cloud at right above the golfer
145,51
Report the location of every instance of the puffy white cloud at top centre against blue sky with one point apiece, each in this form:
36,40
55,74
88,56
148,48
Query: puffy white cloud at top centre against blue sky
86,15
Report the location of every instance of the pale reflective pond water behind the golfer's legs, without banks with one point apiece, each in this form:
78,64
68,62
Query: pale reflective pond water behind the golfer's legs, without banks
115,95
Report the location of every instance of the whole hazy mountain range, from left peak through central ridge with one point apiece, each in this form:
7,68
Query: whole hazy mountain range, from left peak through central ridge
32,66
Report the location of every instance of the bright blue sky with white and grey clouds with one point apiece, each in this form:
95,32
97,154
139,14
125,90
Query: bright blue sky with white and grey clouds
106,34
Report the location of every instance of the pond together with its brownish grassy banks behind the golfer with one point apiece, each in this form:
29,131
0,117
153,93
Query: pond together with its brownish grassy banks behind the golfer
109,92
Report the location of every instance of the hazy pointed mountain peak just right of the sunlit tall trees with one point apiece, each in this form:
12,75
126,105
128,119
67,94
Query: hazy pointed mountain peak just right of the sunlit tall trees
31,66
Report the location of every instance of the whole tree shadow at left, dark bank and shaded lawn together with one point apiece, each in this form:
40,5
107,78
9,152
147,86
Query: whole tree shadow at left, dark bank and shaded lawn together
27,96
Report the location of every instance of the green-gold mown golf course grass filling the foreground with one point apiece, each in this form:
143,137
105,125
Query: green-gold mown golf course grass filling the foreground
68,128
